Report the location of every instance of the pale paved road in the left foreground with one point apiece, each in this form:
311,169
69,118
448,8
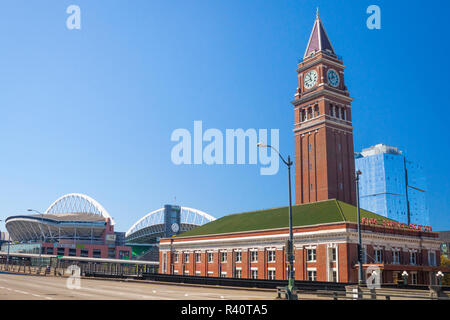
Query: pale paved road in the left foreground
29,287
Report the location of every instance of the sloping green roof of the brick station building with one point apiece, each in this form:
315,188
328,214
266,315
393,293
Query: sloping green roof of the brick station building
329,211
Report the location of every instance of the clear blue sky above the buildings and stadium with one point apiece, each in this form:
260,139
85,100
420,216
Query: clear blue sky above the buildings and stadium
92,110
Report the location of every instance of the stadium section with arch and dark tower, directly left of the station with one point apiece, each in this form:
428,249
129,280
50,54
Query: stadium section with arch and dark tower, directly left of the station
144,235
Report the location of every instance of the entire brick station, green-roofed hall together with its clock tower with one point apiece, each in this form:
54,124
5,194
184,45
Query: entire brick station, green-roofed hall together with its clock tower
253,244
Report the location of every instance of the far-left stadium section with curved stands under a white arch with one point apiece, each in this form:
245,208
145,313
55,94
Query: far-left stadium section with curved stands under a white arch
73,225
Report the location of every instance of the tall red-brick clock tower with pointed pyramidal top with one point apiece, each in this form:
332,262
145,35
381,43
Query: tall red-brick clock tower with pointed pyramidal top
324,156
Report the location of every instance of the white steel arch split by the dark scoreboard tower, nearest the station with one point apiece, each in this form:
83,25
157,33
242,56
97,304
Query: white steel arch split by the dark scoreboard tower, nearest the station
188,216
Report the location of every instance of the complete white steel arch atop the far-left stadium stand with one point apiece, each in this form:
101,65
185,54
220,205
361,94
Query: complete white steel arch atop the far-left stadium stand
78,203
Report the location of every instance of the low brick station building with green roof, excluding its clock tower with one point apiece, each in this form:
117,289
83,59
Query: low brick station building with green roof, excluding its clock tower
253,245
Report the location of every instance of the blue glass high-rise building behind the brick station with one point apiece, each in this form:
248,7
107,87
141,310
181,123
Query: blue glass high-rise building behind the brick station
391,185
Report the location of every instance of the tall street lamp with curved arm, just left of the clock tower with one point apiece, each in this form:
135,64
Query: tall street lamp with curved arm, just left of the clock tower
291,281
